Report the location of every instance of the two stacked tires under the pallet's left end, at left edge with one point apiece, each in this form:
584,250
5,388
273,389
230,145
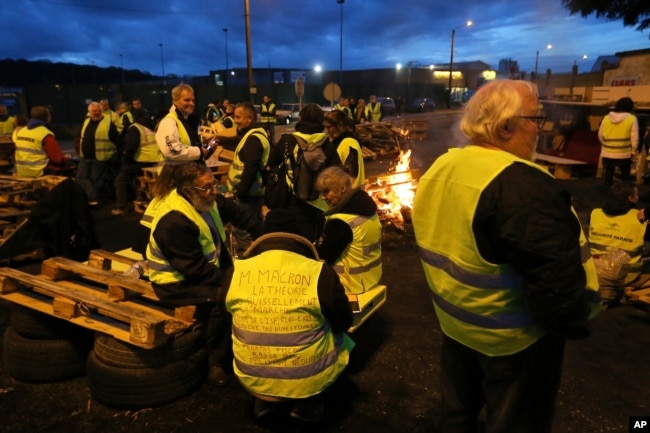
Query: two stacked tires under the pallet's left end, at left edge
40,348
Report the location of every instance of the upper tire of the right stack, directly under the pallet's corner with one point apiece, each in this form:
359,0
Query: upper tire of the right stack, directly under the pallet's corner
117,353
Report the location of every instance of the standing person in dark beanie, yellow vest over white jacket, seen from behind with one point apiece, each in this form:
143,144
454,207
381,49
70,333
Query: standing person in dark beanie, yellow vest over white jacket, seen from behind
619,136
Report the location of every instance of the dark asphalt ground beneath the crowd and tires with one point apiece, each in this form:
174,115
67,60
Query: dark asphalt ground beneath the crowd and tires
392,384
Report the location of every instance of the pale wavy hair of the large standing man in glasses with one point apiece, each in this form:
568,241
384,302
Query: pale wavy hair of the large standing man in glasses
492,107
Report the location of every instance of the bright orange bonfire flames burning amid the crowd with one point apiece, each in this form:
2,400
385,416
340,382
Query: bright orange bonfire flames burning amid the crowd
394,192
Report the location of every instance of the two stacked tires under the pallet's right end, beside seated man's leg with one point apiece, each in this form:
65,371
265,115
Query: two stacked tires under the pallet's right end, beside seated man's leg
129,377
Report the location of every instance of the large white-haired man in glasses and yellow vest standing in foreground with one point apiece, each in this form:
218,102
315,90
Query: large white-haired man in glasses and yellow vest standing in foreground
507,264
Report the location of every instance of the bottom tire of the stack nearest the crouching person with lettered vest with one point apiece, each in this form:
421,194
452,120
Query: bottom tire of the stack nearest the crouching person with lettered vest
137,388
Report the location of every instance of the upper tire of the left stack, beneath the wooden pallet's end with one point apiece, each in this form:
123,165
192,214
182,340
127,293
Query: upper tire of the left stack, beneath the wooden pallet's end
40,326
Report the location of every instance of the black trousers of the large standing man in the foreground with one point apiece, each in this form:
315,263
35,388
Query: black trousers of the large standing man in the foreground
517,391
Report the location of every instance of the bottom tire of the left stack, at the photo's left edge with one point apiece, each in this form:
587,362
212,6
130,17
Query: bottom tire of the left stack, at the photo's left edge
43,361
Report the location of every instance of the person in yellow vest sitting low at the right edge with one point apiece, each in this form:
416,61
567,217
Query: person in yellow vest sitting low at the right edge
617,226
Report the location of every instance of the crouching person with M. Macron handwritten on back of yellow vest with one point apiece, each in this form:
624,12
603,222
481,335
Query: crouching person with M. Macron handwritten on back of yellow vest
289,314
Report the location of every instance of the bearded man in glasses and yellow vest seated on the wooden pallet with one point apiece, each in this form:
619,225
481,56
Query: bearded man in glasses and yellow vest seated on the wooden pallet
189,262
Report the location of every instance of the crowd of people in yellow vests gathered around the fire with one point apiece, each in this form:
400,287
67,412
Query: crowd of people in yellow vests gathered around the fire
504,253
